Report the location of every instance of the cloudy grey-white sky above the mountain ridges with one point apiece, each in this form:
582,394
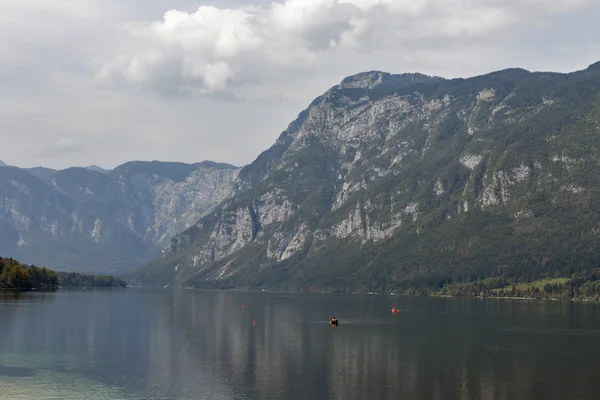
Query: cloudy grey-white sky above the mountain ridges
109,81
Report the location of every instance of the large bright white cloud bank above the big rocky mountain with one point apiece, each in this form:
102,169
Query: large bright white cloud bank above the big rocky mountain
218,50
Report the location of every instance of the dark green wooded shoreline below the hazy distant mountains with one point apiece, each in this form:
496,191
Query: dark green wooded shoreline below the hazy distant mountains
17,276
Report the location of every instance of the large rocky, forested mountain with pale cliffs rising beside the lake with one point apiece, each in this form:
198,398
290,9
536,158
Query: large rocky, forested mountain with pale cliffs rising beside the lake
394,182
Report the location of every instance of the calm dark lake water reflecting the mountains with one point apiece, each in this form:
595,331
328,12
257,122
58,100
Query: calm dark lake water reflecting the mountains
163,344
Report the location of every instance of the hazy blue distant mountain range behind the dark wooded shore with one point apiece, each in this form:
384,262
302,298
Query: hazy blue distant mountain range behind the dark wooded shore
83,220
